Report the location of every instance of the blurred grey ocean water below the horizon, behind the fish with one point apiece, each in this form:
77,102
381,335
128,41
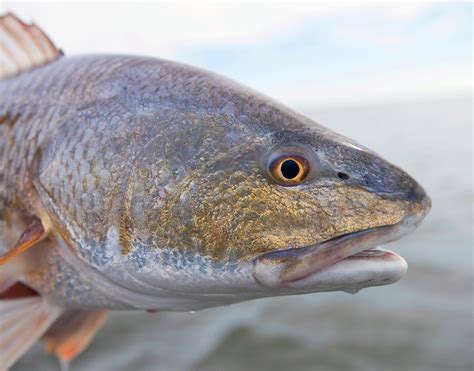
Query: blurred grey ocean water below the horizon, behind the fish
424,322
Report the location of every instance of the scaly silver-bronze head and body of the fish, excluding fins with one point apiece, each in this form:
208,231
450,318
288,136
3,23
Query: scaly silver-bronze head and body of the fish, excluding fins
159,186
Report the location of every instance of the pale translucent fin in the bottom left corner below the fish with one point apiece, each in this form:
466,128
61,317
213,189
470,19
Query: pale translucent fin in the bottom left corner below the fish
22,322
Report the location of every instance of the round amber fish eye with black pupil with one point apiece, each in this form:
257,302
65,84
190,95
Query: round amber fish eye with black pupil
289,170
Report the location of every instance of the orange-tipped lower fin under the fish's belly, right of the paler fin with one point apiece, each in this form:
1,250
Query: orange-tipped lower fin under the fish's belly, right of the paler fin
73,332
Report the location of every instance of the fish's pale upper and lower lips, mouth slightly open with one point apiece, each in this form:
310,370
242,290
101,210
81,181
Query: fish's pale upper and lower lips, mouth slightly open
347,260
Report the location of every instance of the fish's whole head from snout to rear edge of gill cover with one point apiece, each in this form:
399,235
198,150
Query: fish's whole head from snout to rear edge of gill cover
208,192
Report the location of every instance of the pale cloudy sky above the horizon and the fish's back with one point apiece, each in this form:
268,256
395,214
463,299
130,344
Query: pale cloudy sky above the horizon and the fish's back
305,54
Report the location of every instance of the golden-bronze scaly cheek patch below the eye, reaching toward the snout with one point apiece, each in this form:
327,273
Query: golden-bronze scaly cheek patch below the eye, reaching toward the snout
235,215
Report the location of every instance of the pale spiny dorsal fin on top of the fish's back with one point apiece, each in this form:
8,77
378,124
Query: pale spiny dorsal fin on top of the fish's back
23,46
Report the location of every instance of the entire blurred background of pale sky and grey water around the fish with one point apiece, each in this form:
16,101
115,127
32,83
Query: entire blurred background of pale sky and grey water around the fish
397,77
